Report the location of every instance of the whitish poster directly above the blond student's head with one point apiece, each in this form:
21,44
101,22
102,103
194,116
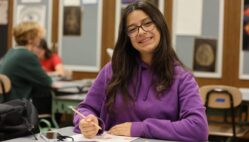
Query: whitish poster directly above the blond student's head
31,13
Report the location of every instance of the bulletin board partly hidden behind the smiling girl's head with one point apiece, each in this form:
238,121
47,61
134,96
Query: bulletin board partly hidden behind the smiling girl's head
121,4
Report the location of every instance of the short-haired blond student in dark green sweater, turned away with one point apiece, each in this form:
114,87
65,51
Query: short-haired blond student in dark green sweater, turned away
22,66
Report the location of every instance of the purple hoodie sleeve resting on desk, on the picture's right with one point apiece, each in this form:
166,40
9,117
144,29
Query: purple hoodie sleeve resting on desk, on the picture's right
192,123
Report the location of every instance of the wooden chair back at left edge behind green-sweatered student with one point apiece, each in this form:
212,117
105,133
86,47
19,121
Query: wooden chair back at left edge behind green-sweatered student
5,86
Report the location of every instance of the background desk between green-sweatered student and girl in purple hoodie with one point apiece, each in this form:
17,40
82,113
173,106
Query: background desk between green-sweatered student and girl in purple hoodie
68,94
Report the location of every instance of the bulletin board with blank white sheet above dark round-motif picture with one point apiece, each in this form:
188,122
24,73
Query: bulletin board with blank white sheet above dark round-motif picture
198,35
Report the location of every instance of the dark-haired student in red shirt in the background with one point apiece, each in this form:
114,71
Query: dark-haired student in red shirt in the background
50,62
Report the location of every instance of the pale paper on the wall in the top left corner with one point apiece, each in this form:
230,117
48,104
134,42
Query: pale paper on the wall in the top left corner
4,12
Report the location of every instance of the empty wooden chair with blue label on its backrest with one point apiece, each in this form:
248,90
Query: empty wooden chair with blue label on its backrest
223,104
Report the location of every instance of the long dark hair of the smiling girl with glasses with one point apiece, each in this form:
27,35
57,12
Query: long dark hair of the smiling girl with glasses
124,59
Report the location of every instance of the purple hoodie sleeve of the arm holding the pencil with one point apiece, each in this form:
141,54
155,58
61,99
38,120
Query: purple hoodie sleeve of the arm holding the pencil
94,100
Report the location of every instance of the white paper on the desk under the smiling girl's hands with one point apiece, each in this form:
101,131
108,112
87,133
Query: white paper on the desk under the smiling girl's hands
104,138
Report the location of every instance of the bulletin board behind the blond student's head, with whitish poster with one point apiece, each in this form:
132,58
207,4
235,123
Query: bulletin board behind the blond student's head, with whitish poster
34,10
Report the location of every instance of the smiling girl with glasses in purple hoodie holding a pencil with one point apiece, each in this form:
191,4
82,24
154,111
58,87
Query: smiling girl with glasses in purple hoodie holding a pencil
145,91
